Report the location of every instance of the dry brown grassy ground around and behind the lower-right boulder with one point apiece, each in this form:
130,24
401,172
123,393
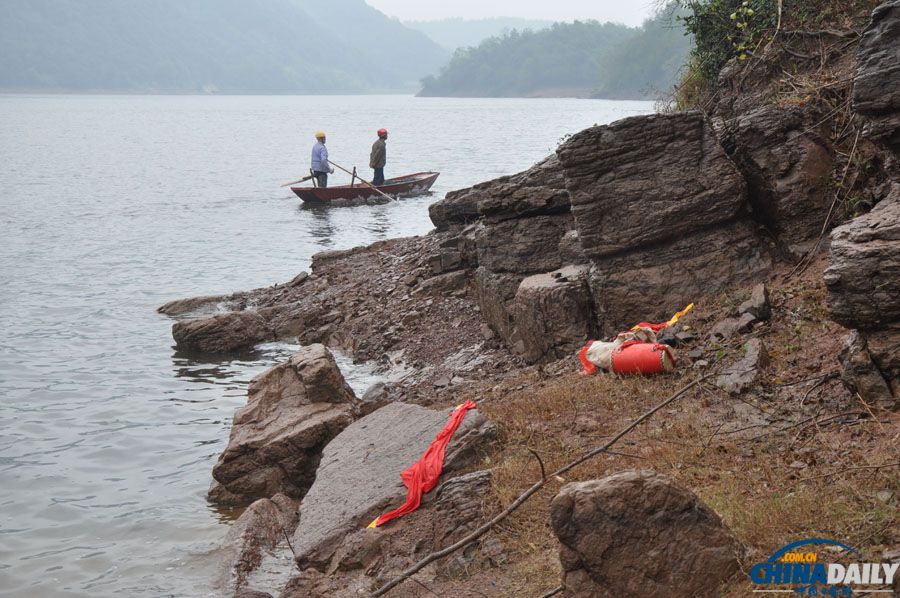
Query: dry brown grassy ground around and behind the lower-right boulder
784,477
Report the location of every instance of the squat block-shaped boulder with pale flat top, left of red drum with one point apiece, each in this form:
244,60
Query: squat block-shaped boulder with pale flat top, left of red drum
553,313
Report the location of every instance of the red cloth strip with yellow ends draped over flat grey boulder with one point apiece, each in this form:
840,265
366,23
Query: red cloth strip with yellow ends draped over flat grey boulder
422,476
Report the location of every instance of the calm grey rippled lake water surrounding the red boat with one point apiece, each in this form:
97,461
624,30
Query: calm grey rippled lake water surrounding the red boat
113,205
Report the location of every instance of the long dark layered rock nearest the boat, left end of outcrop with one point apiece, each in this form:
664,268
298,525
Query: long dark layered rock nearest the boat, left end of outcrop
540,190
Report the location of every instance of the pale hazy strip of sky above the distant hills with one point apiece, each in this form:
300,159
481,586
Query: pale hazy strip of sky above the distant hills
630,12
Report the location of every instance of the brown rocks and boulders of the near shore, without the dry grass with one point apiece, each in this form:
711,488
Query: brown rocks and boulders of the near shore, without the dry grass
626,222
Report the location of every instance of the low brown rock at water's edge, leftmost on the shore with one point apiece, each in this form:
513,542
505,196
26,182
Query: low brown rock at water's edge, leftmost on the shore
221,333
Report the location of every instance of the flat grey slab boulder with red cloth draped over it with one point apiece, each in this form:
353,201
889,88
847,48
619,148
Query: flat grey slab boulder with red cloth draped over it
359,474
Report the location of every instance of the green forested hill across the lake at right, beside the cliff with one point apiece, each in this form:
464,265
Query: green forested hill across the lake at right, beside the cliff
581,58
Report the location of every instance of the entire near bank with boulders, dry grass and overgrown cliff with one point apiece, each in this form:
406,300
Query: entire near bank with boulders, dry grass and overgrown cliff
767,193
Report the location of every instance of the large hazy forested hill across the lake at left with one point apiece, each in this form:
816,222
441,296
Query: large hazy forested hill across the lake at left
212,45
